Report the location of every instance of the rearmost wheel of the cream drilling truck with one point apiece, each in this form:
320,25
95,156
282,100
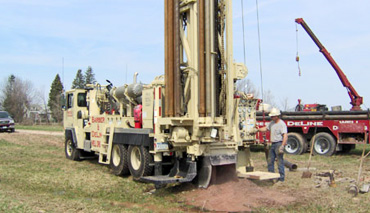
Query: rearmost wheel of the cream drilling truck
138,161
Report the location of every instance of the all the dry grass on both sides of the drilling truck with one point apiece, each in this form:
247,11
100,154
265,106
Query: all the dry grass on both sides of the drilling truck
36,177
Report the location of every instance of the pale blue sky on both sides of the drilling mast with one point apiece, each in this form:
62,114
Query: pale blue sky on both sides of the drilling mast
110,35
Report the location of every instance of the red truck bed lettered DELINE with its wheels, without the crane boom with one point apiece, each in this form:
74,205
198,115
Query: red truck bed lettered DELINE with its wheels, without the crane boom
334,130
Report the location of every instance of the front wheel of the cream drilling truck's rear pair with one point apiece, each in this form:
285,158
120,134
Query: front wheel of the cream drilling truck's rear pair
118,160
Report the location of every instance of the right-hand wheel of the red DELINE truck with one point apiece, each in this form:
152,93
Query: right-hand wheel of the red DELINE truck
324,144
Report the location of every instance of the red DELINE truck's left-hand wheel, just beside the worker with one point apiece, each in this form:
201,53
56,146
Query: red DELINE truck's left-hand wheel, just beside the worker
296,144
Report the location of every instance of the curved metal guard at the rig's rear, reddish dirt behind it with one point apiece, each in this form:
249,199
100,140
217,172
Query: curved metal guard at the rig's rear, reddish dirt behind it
216,169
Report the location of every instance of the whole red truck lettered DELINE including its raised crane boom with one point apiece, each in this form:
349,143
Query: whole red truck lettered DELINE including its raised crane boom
334,130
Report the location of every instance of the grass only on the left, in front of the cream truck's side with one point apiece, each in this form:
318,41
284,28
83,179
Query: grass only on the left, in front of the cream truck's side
36,177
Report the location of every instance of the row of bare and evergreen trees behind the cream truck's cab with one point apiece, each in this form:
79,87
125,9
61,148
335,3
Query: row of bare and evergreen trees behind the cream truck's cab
19,97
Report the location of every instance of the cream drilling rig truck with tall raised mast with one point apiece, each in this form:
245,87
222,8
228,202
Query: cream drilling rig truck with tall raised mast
186,124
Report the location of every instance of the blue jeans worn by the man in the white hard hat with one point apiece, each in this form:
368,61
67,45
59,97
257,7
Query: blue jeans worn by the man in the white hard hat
273,154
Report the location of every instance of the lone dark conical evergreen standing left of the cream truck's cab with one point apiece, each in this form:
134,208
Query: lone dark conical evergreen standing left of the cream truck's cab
55,99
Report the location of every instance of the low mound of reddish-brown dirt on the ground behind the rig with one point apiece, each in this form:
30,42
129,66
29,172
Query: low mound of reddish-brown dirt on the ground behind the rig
236,196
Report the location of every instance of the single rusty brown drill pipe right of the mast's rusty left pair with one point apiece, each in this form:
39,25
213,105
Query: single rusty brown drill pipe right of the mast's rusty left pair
202,86
